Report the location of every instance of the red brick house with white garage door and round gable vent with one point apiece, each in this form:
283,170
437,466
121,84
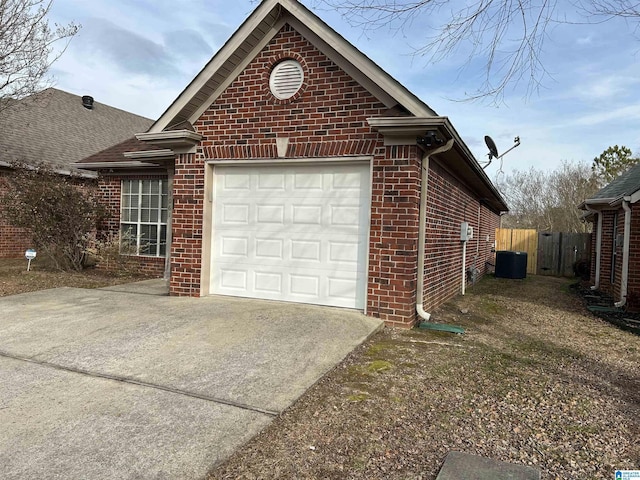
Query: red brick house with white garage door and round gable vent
293,168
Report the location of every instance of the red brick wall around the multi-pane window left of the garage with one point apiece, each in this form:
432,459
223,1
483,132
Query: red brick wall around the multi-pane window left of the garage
110,191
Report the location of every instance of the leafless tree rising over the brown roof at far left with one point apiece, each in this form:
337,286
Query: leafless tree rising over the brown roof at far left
27,47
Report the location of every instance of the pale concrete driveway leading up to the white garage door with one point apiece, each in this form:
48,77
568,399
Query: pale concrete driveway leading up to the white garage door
124,383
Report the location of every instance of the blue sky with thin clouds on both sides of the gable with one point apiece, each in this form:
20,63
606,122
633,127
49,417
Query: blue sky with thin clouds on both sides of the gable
139,55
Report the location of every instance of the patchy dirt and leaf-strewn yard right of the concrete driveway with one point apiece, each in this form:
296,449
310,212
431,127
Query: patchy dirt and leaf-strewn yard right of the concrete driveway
536,380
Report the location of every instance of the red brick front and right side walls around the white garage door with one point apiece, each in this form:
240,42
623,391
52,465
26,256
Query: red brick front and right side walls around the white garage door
328,117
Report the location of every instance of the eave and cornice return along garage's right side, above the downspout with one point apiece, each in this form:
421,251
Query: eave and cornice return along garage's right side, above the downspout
407,130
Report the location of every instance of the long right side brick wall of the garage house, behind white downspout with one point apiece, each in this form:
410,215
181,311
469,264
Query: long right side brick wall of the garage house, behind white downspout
449,204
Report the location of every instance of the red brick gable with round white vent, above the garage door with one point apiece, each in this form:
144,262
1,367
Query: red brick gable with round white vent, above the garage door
328,118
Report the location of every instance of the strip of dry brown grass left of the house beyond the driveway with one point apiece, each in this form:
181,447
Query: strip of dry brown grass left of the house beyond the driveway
15,279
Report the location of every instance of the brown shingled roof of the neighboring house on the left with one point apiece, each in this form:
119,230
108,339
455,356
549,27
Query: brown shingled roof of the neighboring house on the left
53,127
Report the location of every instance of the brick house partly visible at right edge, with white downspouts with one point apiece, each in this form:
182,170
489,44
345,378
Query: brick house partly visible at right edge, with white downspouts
615,256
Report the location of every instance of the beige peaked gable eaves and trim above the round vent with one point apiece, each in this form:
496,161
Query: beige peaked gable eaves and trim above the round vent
261,26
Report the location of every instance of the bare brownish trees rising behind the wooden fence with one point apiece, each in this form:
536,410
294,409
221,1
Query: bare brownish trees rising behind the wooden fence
547,201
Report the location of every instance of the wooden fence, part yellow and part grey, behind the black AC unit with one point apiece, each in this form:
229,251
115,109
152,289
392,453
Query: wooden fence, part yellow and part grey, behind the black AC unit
548,253
